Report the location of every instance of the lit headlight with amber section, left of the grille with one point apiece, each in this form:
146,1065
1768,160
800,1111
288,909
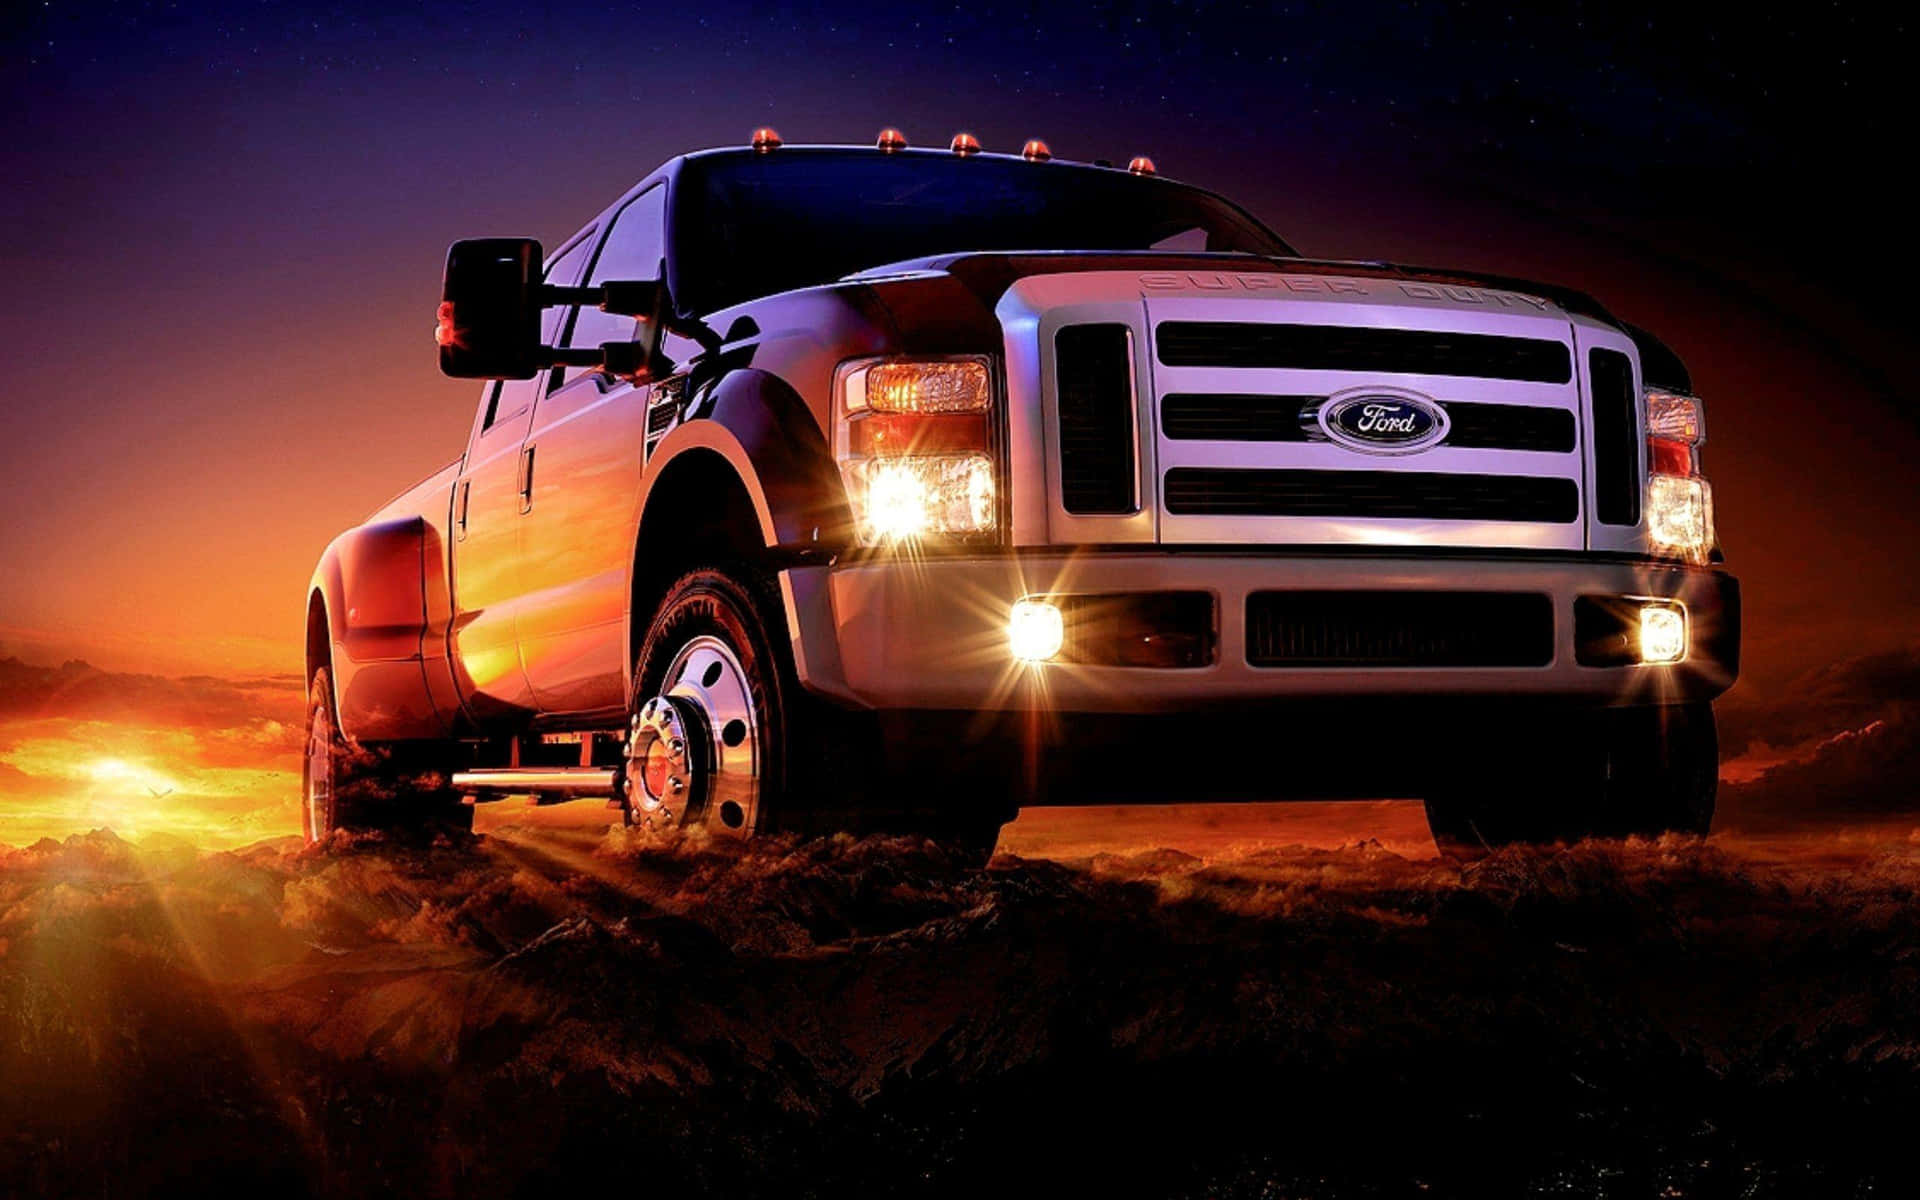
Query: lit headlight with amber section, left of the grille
915,446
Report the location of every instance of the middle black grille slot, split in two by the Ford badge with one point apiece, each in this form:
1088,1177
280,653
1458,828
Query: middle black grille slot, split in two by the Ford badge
1243,418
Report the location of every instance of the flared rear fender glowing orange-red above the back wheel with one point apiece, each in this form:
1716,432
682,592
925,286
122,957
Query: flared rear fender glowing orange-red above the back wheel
373,588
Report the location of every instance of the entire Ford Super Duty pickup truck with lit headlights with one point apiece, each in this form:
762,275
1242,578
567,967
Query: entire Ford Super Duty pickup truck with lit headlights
892,489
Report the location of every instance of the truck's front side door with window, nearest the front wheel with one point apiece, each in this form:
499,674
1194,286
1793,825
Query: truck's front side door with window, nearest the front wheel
587,450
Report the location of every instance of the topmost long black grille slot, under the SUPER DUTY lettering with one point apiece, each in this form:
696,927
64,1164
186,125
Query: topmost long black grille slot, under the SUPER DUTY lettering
1356,348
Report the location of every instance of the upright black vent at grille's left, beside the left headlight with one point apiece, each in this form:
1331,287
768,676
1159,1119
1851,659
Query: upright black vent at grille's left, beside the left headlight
1097,431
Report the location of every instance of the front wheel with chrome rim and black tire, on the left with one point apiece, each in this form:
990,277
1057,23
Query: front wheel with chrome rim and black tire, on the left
759,754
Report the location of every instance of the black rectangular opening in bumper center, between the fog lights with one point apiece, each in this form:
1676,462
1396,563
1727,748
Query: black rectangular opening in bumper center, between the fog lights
1399,629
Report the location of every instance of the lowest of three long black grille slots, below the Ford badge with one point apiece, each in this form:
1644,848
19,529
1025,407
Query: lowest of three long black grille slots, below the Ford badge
1380,494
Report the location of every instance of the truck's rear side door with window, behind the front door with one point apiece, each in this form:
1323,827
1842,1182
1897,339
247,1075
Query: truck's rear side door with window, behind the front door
487,533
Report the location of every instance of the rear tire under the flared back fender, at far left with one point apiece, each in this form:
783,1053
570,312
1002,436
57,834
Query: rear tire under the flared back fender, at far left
347,786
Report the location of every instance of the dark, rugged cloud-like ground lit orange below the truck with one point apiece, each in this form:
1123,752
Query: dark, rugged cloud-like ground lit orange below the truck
544,1009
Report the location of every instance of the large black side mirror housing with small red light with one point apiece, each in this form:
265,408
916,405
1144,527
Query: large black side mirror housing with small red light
489,324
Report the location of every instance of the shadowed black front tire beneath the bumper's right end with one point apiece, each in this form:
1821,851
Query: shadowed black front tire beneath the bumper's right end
1629,773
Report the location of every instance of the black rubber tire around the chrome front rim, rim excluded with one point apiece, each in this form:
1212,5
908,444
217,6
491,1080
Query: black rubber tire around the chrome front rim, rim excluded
819,767
